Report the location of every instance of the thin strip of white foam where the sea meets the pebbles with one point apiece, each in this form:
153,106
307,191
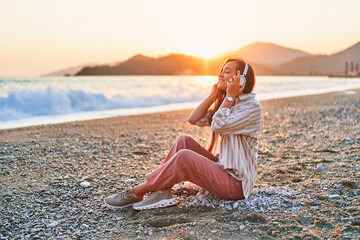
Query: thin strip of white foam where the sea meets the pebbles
132,112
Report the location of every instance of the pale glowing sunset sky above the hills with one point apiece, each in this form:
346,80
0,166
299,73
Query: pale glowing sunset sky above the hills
41,36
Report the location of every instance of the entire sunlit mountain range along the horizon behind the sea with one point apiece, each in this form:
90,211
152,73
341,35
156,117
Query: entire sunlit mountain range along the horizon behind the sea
266,59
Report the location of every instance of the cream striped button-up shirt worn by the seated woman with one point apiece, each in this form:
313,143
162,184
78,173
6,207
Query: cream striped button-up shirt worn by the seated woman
239,128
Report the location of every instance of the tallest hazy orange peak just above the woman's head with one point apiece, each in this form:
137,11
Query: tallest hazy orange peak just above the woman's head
267,53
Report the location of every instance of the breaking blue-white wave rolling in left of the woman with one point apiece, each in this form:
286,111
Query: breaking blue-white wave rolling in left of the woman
47,101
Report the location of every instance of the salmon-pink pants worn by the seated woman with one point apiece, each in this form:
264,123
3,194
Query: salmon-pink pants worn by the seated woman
189,161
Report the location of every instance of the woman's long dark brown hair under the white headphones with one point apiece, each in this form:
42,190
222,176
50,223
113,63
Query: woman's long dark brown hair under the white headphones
220,95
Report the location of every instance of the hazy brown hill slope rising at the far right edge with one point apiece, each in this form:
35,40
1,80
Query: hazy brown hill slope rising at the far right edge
321,64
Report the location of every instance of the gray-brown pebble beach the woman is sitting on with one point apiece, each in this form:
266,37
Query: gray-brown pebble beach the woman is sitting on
54,177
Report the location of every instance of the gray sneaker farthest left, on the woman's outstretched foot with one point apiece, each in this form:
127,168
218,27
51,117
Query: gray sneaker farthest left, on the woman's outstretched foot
124,199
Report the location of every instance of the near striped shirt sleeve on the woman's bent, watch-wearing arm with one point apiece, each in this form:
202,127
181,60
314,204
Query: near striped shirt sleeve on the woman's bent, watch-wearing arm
226,121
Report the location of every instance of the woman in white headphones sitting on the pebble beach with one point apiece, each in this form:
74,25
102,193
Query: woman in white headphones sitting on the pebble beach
235,118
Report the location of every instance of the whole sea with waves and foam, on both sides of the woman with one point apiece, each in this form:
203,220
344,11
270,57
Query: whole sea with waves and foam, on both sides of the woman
29,101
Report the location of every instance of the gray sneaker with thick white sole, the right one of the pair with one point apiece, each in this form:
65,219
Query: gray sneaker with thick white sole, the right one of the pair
156,199
